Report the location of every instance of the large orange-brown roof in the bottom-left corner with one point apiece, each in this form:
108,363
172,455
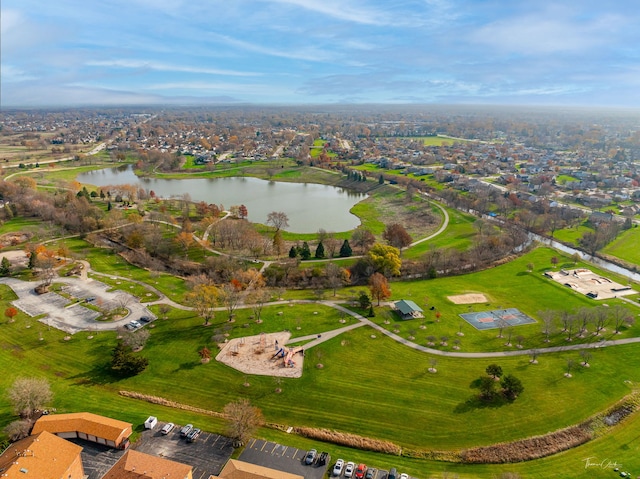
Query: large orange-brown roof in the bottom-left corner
42,456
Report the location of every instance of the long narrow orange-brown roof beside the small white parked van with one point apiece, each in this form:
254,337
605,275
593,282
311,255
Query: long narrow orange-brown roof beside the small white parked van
99,426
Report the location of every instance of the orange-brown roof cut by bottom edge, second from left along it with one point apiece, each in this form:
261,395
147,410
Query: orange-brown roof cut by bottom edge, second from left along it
137,465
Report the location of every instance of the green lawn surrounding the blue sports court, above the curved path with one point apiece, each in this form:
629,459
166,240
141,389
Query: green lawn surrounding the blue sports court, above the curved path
506,286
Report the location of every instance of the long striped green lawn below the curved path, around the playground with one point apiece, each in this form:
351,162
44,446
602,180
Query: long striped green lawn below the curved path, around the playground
352,395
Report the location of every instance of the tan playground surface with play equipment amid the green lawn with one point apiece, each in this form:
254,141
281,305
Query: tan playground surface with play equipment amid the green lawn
265,355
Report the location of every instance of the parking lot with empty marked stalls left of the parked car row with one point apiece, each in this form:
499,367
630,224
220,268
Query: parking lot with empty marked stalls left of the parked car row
282,458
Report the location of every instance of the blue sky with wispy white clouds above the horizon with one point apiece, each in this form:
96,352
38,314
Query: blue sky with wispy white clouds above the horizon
118,52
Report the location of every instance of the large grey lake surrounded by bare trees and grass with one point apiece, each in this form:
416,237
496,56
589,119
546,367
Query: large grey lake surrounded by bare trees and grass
309,206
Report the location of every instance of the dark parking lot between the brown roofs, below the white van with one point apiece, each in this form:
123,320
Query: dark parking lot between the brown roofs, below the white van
208,454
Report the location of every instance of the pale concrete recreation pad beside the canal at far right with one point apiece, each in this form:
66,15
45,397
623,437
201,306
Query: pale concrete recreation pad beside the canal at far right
590,284
